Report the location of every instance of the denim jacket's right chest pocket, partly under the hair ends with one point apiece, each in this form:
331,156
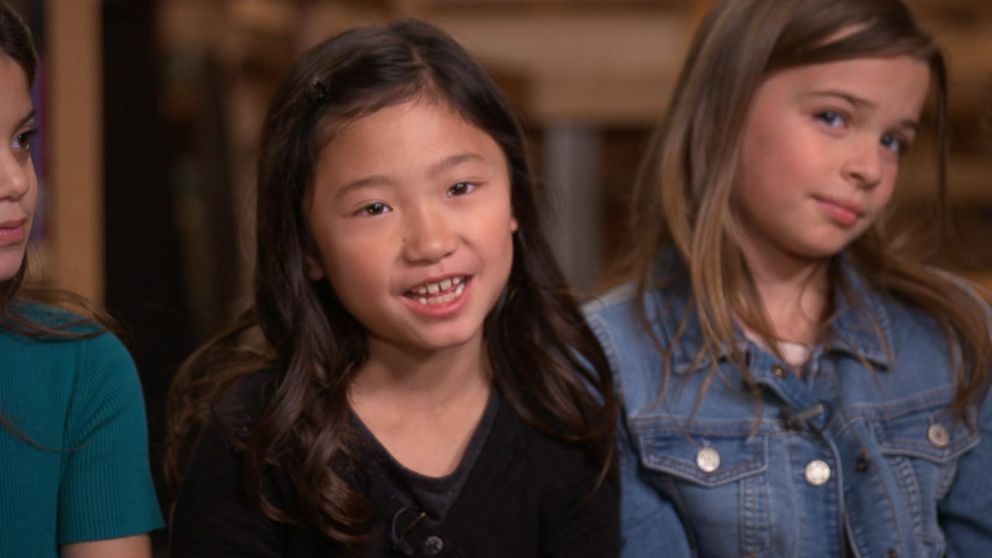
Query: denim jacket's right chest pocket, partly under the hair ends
922,448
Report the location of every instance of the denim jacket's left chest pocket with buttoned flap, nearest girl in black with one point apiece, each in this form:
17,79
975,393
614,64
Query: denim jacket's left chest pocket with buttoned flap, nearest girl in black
716,480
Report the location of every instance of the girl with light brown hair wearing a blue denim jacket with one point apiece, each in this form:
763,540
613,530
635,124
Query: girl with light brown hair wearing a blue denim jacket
793,383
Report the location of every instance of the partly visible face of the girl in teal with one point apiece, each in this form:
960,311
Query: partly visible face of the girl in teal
18,184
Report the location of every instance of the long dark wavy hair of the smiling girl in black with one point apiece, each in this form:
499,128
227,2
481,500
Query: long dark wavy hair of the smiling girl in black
536,335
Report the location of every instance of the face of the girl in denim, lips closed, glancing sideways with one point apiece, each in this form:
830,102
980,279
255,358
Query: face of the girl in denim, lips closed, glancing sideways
821,150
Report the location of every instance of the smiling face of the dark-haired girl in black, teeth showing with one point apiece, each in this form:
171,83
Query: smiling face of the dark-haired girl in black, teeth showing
411,218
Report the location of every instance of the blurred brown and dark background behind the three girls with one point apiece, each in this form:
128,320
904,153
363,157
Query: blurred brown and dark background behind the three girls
151,112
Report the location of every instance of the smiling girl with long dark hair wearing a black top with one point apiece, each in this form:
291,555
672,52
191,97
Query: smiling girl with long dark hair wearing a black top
413,378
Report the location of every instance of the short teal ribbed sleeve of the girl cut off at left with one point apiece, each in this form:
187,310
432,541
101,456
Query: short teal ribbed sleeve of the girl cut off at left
106,488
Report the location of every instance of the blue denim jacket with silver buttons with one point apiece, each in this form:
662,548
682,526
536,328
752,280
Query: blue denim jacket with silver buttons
857,456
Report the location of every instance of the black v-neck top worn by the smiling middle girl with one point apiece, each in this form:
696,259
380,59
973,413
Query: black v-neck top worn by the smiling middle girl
526,495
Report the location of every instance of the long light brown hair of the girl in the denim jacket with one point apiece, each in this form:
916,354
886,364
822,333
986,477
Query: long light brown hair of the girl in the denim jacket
683,197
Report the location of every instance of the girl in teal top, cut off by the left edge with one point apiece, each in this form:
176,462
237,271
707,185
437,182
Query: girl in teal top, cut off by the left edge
74,475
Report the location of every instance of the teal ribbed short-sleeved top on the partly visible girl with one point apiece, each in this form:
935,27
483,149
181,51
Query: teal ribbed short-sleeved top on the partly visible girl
74,467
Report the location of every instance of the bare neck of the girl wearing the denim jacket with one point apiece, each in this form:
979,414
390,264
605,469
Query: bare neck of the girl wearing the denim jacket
792,289
